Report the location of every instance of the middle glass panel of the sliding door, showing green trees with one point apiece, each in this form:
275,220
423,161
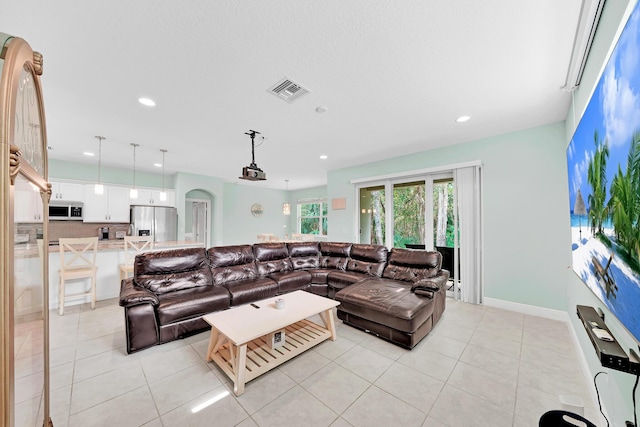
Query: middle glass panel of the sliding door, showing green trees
408,214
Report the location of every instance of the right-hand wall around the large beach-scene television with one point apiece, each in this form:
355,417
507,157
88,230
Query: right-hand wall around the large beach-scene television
615,387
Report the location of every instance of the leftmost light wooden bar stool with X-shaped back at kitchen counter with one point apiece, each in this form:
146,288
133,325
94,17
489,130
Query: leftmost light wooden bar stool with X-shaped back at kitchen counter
77,261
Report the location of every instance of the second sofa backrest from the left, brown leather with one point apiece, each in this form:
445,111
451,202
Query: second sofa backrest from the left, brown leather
231,263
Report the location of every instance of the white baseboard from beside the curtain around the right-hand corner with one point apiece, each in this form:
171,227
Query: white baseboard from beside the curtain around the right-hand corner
553,314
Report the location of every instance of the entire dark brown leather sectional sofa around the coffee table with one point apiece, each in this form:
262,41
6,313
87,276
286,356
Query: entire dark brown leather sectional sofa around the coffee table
398,295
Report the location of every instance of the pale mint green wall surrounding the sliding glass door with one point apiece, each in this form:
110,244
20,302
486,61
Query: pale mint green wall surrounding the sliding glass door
525,214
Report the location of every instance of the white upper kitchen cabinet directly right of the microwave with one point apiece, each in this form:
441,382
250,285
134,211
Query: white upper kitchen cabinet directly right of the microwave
112,206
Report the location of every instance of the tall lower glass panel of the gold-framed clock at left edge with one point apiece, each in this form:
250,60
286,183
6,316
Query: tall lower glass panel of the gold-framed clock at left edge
28,307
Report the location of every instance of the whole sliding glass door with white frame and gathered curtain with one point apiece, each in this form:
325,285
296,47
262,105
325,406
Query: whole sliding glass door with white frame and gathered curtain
434,211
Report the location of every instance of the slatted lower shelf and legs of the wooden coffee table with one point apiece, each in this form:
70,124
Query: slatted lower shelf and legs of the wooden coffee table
259,357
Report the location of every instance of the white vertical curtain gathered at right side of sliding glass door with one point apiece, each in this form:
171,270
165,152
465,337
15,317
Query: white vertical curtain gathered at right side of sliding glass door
468,235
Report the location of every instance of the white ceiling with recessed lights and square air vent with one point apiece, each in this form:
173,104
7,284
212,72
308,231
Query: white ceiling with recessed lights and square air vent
393,74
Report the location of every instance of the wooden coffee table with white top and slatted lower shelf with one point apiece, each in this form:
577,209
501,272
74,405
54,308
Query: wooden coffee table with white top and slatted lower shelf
240,342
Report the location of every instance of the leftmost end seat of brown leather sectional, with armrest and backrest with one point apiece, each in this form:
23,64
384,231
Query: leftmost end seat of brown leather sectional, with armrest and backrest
171,292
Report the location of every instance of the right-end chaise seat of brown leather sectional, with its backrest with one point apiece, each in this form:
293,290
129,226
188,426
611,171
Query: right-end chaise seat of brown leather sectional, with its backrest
387,306
